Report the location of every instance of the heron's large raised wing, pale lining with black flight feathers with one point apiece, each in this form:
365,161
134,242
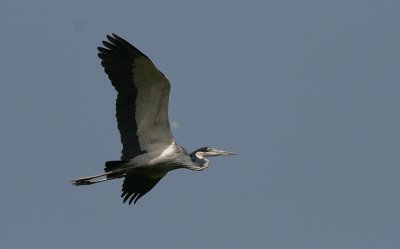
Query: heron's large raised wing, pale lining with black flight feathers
142,101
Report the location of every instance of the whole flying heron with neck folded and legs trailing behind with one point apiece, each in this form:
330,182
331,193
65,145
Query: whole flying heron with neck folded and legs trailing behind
149,150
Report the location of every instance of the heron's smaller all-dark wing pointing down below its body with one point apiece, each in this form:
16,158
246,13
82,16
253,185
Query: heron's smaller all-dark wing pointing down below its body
135,186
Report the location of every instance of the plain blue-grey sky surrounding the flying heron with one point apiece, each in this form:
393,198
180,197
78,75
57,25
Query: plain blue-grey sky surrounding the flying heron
306,92
